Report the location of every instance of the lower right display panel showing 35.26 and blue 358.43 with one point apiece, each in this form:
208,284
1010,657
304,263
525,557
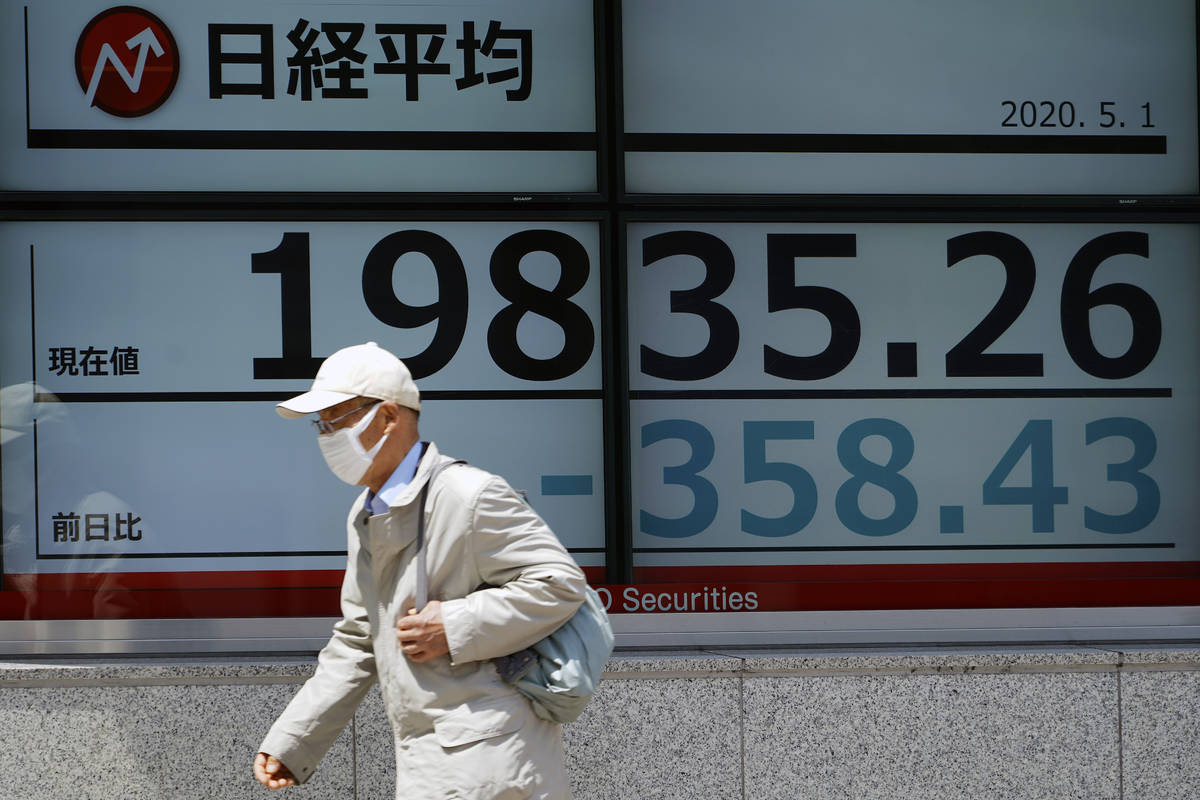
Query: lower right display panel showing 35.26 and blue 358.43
915,402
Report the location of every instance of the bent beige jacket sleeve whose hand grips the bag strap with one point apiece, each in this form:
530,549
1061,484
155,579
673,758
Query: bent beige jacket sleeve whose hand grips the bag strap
536,585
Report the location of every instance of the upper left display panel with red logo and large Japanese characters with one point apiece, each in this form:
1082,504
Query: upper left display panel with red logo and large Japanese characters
298,97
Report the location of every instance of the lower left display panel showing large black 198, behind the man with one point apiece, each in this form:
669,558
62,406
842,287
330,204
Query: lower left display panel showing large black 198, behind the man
141,364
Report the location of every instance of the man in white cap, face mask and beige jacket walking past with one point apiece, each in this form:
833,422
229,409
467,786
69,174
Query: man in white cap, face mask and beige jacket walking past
499,581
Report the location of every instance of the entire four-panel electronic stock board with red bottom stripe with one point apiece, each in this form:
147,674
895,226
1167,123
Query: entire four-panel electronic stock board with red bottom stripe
729,410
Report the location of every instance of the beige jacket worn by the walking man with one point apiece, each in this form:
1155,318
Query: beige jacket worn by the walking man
460,731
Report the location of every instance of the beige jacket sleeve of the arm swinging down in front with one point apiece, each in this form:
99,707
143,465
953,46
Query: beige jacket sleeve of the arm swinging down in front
346,671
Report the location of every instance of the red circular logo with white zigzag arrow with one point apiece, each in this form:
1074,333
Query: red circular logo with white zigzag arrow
127,62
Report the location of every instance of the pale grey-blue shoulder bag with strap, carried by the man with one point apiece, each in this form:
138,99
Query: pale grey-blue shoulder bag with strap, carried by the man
561,672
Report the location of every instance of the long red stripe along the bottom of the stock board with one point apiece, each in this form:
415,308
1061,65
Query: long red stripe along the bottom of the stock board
314,593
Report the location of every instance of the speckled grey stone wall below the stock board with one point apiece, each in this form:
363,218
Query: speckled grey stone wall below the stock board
928,724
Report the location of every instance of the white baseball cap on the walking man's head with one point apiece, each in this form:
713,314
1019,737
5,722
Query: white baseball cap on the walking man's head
358,371
